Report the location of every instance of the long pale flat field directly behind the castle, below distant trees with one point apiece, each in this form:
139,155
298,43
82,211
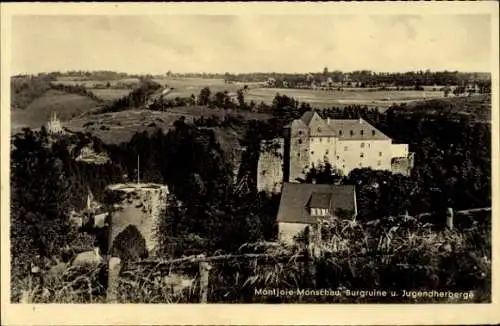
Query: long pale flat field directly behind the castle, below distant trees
325,99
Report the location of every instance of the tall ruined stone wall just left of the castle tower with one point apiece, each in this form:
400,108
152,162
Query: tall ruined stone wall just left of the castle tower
270,166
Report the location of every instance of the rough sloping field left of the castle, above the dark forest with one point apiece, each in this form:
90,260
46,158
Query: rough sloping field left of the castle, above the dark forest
121,126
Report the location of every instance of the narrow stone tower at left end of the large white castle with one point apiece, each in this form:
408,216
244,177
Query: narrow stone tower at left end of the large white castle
296,156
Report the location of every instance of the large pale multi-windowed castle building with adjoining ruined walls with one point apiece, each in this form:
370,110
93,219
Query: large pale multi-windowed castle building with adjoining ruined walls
311,141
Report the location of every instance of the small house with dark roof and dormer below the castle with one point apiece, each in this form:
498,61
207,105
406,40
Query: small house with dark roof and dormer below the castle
304,205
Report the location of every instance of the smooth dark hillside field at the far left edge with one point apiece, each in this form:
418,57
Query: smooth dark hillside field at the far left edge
38,112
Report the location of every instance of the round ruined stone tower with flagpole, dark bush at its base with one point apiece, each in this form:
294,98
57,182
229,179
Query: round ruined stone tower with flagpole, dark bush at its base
141,206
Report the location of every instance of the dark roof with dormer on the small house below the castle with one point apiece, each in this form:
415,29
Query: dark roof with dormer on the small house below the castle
295,198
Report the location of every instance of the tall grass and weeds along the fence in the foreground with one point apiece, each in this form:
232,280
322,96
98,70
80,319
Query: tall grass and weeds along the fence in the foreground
391,255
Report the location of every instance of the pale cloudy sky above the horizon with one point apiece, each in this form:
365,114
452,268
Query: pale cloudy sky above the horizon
245,43
